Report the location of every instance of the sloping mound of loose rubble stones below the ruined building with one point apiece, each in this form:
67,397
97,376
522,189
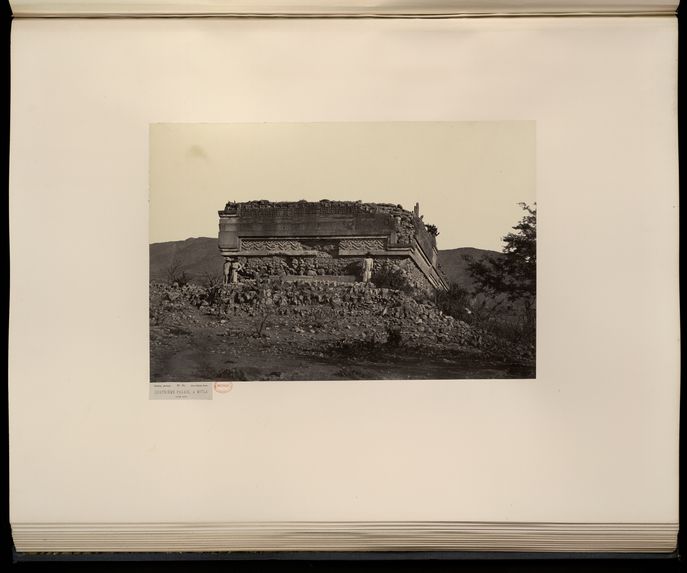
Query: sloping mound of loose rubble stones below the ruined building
341,315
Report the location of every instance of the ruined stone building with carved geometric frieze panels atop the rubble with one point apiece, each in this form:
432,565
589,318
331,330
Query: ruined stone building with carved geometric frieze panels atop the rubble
327,241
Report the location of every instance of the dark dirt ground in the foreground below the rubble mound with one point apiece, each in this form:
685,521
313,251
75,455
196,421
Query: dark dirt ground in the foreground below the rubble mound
195,346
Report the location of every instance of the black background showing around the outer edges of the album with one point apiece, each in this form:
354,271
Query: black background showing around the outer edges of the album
433,563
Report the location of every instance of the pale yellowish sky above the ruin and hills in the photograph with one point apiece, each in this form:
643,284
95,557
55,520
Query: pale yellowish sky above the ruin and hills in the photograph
467,176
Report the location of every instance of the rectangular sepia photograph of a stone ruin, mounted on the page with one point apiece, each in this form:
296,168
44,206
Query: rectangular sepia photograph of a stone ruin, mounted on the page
342,251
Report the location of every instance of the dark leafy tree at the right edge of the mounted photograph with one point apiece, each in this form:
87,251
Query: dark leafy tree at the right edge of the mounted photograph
514,274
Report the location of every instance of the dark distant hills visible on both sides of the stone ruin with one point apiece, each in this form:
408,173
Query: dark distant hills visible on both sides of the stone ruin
200,256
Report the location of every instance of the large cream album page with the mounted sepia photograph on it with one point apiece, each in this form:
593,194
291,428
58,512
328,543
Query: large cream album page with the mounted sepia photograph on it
134,137
